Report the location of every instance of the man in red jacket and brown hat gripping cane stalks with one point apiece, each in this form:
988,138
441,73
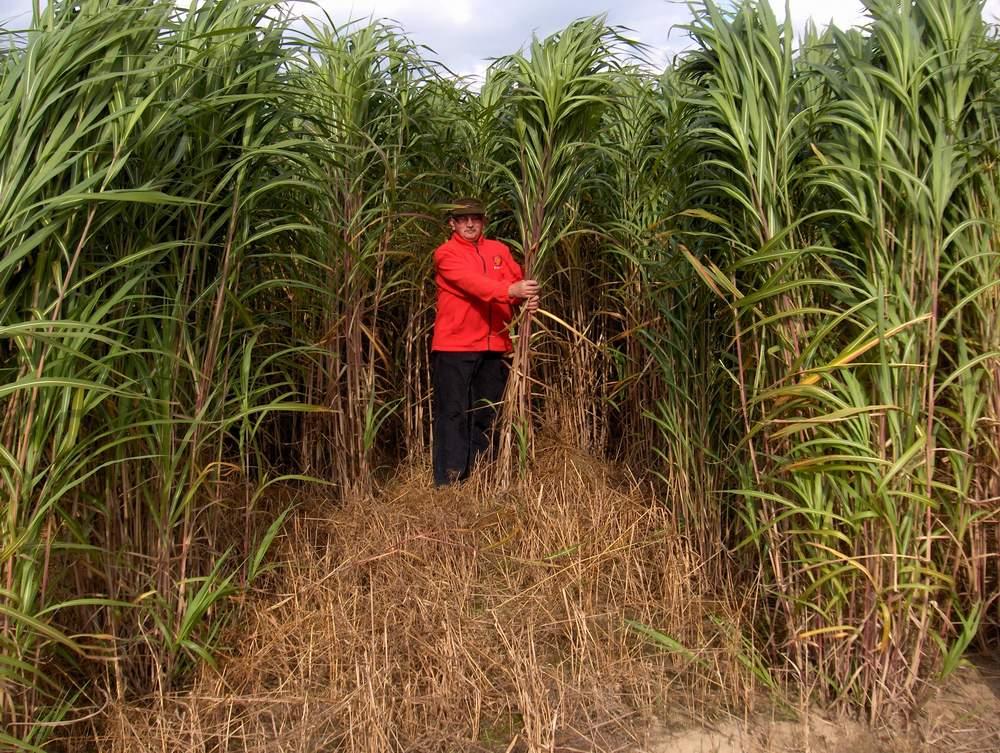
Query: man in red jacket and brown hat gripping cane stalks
478,286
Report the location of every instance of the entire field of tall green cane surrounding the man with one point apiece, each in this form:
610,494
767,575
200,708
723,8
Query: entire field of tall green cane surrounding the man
771,291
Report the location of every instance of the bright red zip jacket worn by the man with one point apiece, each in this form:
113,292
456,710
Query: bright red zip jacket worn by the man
473,308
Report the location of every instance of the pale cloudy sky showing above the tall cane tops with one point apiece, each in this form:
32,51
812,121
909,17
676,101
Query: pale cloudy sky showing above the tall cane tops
465,34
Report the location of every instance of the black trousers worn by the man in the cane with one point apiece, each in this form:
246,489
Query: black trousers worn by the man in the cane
468,388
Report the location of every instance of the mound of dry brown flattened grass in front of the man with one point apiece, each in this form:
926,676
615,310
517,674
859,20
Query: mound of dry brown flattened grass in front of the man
458,619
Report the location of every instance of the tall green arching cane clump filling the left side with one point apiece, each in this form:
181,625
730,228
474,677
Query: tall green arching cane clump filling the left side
143,171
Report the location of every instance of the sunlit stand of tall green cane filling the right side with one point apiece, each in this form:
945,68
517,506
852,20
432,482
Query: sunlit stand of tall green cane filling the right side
853,199
